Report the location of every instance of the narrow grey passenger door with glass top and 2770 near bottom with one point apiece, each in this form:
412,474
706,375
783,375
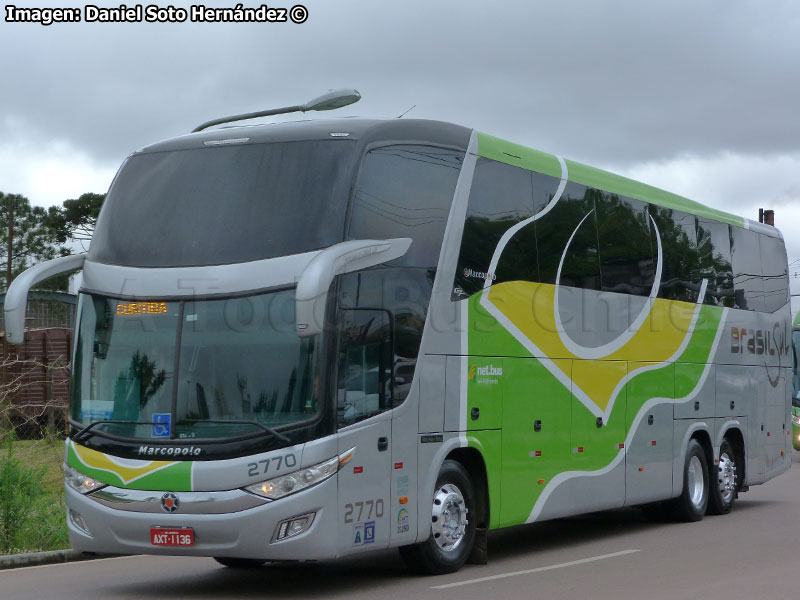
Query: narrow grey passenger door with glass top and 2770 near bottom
364,385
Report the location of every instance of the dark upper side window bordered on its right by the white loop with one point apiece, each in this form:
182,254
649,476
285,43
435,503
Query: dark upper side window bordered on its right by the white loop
626,250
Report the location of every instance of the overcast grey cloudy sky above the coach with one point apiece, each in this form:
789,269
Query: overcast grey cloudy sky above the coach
699,98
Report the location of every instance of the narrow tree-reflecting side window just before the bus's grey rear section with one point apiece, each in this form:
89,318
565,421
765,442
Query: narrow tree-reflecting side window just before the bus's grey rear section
714,254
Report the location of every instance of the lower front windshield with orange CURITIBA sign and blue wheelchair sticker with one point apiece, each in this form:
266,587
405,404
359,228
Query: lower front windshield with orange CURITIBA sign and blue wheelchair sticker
193,369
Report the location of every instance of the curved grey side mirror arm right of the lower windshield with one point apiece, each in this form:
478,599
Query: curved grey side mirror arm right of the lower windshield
312,287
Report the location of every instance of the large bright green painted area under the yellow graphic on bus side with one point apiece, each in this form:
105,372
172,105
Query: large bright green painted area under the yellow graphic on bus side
514,486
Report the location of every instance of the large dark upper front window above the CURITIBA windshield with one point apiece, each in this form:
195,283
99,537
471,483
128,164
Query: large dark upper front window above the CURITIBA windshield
224,204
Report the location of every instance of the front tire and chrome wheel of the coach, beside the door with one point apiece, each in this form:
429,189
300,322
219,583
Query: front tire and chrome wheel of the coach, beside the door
453,523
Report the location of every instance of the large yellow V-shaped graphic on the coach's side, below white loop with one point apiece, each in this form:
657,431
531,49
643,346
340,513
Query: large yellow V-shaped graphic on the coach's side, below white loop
529,306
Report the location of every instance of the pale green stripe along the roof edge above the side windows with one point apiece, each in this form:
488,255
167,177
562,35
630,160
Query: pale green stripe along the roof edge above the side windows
541,162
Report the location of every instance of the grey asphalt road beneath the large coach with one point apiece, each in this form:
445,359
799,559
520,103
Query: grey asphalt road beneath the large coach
750,553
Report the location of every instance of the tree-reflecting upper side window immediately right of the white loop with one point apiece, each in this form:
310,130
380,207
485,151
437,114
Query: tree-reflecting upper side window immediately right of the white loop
680,269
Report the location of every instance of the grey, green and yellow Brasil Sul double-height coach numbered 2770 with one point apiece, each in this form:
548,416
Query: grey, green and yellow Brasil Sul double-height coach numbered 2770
308,340
